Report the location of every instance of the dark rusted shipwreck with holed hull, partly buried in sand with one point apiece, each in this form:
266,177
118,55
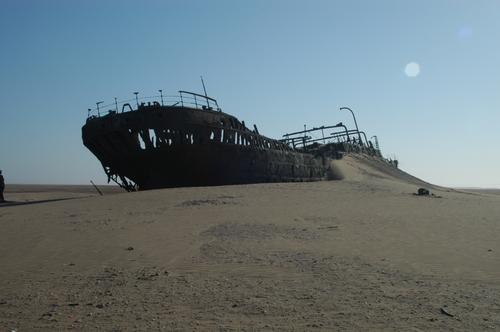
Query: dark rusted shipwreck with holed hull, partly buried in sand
187,140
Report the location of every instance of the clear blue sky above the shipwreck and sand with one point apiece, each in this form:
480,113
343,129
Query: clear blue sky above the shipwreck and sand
279,64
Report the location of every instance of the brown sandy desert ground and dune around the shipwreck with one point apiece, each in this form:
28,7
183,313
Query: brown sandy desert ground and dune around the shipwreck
362,253
